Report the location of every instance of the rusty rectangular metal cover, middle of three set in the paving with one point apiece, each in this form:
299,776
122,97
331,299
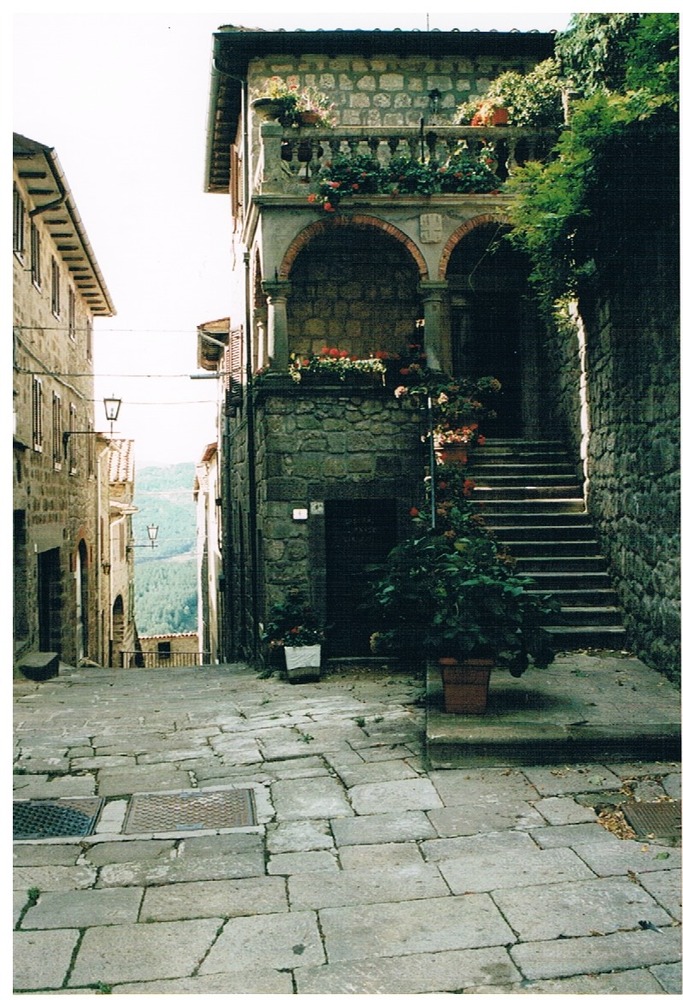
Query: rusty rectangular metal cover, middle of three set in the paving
159,811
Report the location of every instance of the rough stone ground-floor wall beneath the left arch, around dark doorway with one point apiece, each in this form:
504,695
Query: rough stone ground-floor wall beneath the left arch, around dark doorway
315,445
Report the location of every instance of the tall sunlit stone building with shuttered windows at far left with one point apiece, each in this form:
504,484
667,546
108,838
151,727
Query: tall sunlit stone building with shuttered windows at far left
58,292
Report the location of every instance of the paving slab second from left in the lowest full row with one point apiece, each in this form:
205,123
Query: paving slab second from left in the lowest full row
142,951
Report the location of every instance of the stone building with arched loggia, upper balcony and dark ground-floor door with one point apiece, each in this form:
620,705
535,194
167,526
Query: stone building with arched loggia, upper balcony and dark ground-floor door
318,480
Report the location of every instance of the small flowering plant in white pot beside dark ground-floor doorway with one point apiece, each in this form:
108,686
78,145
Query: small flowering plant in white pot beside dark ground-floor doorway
294,627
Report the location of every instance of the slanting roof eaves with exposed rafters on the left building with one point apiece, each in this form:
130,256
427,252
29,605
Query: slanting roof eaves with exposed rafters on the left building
39,168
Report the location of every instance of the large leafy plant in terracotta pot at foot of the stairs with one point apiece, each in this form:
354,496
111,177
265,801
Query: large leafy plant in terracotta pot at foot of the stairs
449,593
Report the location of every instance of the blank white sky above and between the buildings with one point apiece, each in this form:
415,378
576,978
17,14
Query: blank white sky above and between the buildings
123,100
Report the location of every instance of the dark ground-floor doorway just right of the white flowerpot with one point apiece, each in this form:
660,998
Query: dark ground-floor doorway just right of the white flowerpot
358,535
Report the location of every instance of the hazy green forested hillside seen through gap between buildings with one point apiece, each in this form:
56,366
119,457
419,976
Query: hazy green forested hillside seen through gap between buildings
165,576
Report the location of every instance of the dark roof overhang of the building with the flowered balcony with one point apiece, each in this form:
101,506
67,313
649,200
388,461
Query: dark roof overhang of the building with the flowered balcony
234,48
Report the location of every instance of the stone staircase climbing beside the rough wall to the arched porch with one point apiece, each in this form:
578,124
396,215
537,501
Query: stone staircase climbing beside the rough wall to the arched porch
530,497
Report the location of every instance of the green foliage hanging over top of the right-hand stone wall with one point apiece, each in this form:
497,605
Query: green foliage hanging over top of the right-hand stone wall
614,169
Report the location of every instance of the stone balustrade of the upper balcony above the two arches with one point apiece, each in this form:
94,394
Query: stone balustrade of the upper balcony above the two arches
287,161
